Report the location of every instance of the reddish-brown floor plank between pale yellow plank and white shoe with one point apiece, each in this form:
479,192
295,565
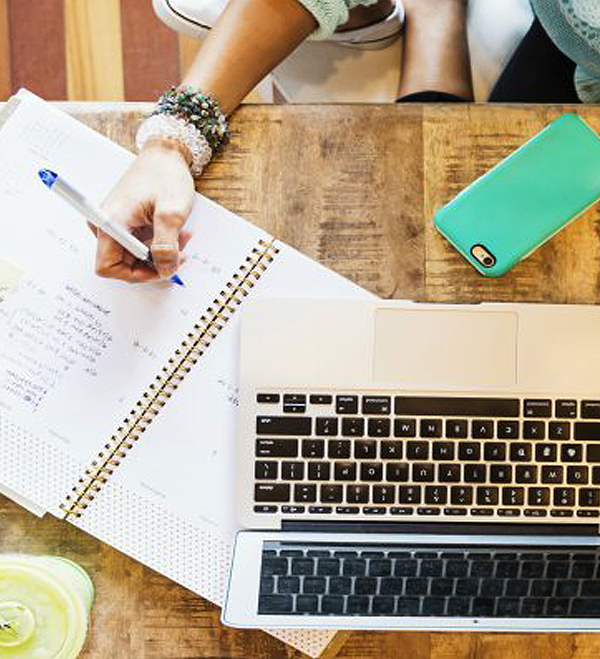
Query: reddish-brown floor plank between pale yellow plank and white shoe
150,52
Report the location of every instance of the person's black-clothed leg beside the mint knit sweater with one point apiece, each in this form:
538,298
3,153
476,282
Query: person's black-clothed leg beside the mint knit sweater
538,72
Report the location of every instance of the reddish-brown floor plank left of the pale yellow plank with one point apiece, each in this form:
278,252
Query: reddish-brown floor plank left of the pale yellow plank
37,47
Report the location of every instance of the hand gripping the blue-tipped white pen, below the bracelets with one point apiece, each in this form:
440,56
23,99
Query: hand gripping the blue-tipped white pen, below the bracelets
152,200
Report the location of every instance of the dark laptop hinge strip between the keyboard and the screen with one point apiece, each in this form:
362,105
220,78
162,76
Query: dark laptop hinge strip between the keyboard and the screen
453,528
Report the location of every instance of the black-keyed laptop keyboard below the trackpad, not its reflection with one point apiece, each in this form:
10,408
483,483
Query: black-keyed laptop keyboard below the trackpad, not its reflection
339,455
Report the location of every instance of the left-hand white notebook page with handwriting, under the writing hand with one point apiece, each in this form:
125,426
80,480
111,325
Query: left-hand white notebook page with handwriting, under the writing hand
77,351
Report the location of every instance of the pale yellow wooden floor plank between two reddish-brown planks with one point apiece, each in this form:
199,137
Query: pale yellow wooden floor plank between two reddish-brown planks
94,50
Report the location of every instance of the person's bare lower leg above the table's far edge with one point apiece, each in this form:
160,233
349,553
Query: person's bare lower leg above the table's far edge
435,60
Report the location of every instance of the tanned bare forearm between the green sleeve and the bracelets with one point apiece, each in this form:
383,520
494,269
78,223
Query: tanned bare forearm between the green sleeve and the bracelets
249,40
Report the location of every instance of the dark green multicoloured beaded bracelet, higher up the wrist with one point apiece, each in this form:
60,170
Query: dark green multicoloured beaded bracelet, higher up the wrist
202,111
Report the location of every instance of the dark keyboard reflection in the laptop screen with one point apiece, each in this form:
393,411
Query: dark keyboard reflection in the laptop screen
451,581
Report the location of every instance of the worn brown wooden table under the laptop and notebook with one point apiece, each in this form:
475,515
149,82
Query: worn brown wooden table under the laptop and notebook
355,188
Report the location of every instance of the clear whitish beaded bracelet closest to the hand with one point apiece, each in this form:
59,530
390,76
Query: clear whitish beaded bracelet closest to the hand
170,126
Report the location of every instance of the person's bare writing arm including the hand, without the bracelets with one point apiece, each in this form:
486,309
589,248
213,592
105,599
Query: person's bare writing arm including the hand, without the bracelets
155,196
